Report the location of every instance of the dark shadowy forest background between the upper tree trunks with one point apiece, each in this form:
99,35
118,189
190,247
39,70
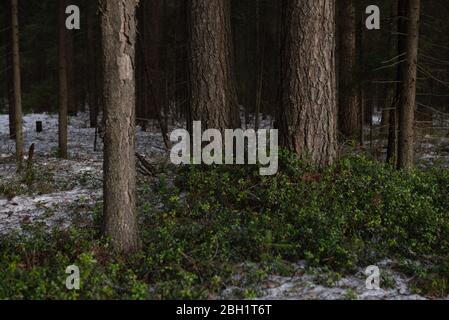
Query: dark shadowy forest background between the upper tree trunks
162,57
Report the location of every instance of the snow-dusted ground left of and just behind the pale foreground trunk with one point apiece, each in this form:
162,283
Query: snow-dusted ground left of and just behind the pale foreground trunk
71,183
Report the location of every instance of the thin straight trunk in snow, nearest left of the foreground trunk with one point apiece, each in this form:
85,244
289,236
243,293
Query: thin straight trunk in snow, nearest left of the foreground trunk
63,81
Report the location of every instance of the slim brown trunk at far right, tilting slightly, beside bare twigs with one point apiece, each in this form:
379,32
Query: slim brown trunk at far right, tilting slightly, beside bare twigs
408,92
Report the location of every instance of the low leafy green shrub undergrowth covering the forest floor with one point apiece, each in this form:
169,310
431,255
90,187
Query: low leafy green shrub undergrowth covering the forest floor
209,223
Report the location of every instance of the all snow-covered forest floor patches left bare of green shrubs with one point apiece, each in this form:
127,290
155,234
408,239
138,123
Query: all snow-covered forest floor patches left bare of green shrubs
67,191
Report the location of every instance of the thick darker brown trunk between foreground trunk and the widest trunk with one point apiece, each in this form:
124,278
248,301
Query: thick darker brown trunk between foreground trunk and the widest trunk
212,91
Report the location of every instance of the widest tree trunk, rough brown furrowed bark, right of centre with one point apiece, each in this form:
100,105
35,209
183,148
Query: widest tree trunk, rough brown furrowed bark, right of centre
308,119
